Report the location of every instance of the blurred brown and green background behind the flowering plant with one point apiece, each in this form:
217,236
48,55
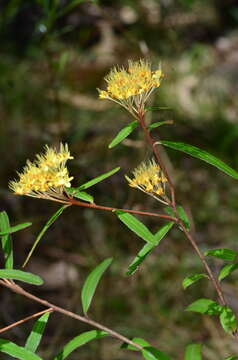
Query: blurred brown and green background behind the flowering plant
54,54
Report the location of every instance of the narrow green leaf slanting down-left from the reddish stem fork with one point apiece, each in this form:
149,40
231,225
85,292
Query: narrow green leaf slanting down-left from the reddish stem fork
140,257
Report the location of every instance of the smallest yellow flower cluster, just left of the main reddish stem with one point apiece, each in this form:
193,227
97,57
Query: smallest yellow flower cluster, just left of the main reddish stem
149,178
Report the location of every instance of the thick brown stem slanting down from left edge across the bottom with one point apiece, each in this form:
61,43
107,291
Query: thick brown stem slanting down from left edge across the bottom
17,289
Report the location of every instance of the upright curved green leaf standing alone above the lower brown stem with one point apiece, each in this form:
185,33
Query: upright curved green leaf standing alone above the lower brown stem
91,283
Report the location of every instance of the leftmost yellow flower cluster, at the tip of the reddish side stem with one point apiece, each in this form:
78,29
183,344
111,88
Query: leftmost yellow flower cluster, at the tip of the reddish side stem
46,177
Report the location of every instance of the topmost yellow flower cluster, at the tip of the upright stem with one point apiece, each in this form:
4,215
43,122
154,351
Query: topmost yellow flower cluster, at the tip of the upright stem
131,87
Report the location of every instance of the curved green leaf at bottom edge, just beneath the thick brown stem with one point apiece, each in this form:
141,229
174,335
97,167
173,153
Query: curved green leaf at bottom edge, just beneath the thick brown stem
78,341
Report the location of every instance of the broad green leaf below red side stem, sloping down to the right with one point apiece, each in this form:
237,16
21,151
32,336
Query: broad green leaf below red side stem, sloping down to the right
136,226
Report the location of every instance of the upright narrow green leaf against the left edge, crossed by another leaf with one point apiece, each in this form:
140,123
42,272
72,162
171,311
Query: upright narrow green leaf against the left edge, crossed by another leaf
6,240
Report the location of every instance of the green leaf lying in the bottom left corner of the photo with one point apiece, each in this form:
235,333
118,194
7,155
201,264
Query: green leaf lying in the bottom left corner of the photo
18,352
